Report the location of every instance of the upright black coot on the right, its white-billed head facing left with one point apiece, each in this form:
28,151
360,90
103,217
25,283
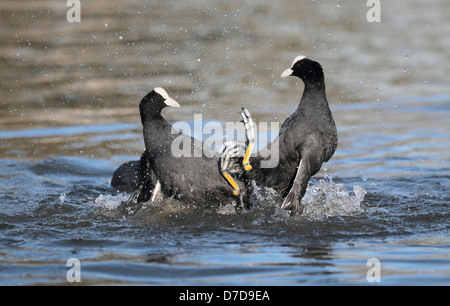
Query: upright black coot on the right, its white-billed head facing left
307,138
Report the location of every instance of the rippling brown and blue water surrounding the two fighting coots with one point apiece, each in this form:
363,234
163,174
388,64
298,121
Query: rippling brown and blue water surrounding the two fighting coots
69,118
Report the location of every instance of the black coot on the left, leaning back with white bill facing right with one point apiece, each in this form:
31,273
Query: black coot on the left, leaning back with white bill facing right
194,179
